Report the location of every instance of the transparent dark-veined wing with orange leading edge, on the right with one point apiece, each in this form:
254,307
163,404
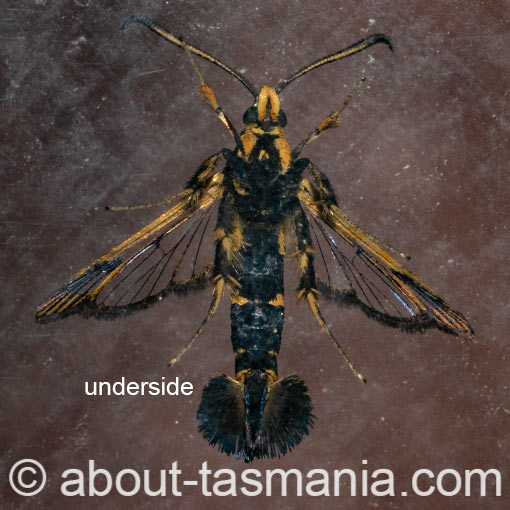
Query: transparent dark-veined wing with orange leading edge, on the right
354,269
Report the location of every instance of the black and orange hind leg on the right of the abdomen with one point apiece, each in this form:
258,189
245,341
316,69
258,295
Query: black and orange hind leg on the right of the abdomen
307,289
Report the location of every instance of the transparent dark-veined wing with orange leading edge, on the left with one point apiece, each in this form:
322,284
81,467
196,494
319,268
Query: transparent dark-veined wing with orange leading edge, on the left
172,254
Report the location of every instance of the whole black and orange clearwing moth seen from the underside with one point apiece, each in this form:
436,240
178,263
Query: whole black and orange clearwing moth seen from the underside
255,206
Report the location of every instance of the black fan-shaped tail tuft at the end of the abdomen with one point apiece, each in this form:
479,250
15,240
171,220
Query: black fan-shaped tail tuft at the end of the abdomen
255,416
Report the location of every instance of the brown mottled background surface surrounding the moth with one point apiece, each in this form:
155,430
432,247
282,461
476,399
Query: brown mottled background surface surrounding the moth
92,116
